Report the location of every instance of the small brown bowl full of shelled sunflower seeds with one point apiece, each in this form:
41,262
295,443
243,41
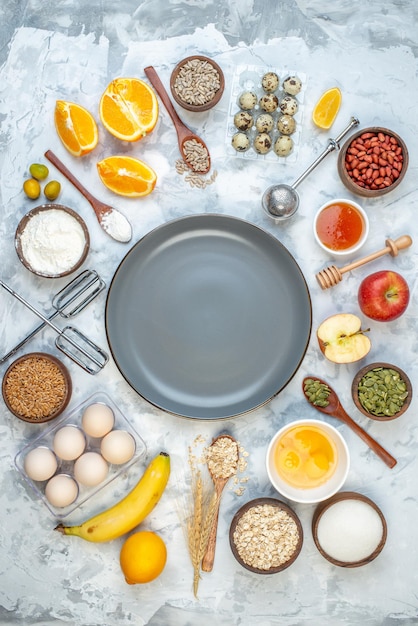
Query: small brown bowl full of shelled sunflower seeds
197,83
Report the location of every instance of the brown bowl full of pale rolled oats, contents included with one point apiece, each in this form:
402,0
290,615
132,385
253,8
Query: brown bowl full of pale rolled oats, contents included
265,536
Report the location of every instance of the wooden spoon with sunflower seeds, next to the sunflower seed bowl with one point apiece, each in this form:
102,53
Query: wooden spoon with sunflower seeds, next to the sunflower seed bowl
184,134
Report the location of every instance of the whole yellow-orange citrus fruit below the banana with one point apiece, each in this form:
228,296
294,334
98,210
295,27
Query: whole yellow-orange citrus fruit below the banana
142,557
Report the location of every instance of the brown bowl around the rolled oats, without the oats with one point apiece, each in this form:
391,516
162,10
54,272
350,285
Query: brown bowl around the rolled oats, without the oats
281,506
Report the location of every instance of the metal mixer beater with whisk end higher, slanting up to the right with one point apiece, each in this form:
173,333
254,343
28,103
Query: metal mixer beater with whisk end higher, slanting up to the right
77,294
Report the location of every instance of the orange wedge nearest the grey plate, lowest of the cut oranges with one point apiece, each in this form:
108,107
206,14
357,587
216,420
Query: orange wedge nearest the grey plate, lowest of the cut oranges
127,176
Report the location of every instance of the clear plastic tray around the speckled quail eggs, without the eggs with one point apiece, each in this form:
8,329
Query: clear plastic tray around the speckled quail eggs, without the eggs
248,78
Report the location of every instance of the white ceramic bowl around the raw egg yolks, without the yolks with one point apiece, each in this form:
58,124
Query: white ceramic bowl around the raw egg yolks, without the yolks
320,492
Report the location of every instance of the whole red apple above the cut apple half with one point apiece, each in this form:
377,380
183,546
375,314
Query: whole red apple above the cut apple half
383,296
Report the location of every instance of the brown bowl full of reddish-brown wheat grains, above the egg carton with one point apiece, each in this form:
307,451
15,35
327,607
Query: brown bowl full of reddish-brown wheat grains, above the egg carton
27,384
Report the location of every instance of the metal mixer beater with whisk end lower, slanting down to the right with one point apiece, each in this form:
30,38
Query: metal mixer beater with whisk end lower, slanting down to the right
70,340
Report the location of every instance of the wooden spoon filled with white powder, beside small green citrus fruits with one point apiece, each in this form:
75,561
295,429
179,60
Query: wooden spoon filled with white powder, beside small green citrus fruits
111,220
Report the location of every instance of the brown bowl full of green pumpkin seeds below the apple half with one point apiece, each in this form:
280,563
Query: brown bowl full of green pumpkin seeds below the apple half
381,391
